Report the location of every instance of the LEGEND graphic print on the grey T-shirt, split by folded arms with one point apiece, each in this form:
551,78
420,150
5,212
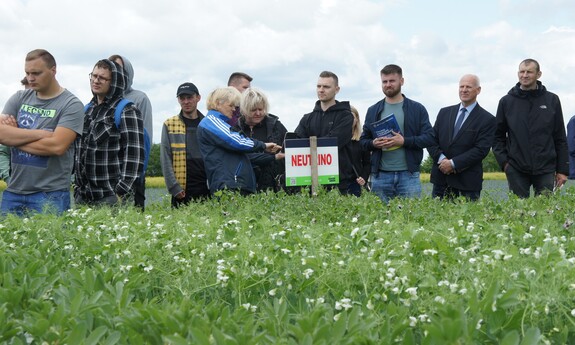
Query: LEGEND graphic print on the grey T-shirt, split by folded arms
30,117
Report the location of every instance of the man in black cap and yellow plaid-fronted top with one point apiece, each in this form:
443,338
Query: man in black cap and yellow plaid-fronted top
182,162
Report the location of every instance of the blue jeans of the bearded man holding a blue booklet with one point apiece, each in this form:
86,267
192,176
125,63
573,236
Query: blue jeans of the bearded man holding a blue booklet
392,184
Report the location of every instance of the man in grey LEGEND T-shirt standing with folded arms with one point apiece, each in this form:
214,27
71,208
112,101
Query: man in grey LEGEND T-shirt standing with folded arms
40,124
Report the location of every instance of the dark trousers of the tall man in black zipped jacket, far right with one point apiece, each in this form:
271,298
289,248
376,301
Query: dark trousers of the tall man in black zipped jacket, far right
520,183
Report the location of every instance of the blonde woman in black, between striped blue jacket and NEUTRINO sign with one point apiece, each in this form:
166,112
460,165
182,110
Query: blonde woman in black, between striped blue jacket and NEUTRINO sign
257,123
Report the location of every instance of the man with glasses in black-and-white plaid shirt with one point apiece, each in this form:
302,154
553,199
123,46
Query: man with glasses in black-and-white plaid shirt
109,158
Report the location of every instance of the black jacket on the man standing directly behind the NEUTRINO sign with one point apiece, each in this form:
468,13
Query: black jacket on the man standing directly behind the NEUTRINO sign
336,121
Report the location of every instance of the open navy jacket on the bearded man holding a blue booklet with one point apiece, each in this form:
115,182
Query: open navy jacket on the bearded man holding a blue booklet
417,133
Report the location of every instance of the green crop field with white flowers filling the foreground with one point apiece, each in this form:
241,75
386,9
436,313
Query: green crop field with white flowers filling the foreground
292,269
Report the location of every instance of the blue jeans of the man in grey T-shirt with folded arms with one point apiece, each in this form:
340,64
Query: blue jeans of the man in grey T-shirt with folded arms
42,202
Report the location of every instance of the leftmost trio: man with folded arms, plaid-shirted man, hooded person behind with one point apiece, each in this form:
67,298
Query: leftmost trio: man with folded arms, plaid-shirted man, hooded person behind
53,136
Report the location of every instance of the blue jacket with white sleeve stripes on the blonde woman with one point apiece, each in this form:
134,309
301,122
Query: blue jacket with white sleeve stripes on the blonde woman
226,154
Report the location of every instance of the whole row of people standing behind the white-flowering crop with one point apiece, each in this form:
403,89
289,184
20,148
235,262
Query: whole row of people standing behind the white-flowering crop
237,144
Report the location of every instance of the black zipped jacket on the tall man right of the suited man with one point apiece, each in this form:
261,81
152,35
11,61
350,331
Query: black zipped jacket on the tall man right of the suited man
530,132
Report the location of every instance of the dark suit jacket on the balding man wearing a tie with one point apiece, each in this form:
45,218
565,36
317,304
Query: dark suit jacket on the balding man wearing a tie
467,149
